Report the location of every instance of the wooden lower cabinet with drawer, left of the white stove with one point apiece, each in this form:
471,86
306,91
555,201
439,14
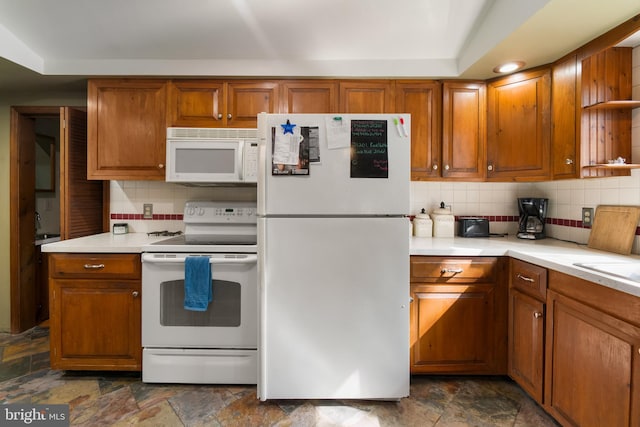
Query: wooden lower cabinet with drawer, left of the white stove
95,311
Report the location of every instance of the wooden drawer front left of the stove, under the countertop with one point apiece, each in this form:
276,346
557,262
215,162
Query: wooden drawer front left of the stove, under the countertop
104,266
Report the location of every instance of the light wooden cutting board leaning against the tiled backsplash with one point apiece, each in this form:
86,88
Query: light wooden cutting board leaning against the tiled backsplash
614,228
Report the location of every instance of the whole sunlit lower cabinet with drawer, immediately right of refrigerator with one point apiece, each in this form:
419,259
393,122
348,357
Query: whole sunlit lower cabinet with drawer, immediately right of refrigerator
458,315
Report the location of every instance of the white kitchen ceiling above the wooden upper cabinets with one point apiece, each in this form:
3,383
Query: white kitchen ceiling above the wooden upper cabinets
48,44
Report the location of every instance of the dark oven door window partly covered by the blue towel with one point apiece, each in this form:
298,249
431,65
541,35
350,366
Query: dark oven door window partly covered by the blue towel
223,311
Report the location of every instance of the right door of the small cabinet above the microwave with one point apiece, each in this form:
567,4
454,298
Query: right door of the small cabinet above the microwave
246,99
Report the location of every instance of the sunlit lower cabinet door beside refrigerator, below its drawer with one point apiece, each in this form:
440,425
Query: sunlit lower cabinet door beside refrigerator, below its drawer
454,329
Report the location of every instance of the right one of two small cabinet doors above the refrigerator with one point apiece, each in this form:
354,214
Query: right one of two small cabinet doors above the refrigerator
366,96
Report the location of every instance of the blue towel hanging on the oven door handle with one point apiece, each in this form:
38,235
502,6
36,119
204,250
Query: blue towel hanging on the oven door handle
197,283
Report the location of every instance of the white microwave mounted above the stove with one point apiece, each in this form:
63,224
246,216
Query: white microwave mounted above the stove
202,156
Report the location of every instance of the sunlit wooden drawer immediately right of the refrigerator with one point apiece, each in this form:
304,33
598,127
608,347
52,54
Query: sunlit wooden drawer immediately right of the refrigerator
454,269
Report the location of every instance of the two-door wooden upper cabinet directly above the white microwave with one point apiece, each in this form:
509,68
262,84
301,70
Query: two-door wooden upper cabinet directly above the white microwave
215,103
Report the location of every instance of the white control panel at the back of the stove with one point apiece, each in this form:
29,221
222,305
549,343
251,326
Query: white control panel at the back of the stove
198,212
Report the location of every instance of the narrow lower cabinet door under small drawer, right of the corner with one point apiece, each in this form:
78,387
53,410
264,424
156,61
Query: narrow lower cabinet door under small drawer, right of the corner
526,343
